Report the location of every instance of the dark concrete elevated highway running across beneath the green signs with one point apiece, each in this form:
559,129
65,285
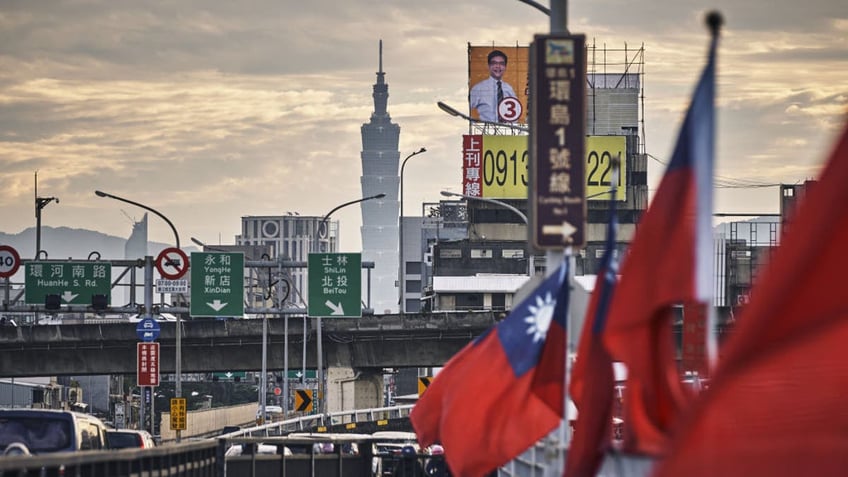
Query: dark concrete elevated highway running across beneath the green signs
376,341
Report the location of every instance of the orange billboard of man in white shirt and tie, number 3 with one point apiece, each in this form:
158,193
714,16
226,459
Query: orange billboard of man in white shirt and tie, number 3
512,69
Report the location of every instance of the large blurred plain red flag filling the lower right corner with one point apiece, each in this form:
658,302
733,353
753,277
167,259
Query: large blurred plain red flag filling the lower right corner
777,403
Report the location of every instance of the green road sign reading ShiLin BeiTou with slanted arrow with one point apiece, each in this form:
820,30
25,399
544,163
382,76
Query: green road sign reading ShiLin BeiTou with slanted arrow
335,285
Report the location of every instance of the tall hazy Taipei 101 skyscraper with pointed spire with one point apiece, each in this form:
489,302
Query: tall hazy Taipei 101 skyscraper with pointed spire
380,157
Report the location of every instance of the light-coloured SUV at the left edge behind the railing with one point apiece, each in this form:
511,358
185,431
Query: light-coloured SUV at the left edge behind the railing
40,431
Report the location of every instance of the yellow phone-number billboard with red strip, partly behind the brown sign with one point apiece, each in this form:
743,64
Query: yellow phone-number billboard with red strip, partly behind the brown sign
495,166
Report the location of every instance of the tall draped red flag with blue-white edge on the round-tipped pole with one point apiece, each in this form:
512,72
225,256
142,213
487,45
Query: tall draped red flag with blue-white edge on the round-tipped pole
668,262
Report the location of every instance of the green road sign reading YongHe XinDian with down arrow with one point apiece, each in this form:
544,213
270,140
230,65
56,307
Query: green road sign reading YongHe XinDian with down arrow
217,284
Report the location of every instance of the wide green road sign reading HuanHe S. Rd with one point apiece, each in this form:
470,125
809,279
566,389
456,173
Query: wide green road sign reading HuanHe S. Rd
74,282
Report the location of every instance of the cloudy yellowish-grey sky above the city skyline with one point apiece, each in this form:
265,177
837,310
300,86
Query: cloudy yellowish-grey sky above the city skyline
210,110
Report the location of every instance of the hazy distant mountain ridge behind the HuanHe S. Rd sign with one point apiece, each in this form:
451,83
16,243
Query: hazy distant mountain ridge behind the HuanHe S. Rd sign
67,243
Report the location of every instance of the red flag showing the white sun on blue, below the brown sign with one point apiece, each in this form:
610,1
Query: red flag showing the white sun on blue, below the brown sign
498,395
